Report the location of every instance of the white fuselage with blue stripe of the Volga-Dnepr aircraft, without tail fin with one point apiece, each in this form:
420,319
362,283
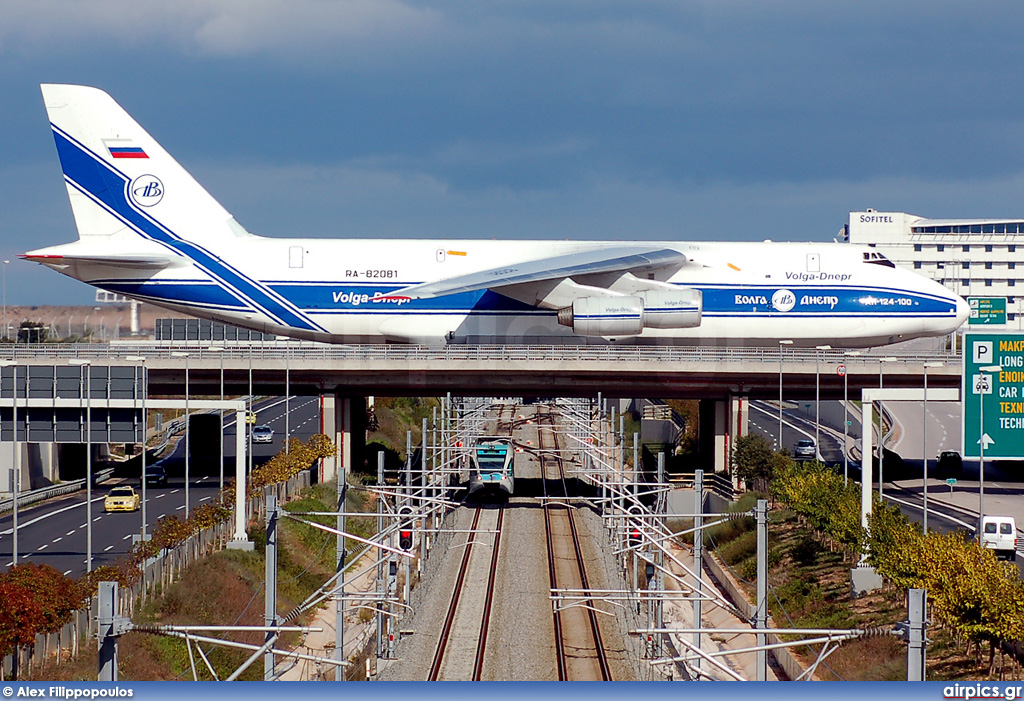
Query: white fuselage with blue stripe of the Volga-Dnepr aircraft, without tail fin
331,290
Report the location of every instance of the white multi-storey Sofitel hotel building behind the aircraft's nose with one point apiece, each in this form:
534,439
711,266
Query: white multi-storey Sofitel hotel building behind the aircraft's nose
972,257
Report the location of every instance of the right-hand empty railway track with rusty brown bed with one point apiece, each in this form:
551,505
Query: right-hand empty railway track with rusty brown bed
579,647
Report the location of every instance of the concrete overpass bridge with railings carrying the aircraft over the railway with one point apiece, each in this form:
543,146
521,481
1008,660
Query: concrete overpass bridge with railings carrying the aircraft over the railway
724,379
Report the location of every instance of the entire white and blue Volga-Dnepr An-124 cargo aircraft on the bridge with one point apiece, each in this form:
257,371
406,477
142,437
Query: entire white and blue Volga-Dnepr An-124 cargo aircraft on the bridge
149,231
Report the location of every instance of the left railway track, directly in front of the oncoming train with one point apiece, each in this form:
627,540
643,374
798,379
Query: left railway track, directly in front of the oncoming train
462,646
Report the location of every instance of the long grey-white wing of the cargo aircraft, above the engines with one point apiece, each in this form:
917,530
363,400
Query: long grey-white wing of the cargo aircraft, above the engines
620,258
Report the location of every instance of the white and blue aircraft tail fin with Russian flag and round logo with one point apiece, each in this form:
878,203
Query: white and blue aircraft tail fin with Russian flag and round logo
120,181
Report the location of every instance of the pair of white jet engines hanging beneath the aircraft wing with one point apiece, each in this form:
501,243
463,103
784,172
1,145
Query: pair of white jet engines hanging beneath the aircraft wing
629,316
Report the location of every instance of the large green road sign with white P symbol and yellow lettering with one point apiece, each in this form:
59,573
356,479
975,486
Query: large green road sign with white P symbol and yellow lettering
1002,392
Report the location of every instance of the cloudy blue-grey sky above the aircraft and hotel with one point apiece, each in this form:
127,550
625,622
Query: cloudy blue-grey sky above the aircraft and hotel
578,119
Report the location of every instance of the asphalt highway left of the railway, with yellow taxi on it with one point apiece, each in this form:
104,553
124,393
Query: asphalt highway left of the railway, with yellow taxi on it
55,533
